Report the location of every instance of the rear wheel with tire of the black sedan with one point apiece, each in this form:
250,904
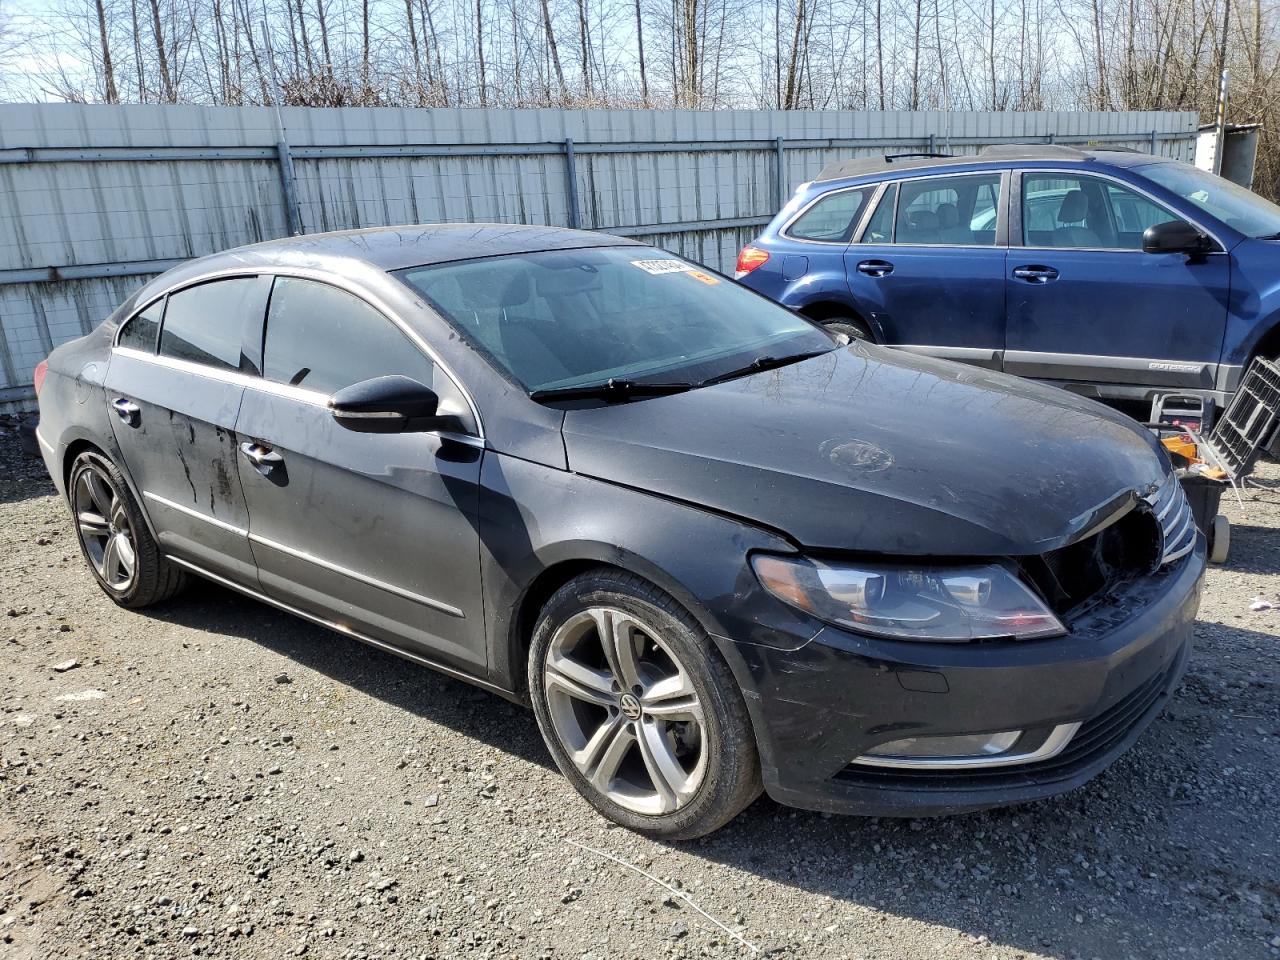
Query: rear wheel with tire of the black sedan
115,538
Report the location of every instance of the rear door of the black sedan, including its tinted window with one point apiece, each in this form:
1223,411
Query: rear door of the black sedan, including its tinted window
175,385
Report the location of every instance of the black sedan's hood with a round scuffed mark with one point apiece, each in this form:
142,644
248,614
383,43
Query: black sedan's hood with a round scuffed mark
875,450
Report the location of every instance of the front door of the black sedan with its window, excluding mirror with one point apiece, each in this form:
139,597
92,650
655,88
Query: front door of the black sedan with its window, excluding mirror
372,532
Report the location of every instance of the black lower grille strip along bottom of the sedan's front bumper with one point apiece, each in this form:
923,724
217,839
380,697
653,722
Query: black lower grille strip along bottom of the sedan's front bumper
1095,739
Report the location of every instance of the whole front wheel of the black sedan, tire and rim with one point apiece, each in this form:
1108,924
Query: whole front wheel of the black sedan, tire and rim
639,710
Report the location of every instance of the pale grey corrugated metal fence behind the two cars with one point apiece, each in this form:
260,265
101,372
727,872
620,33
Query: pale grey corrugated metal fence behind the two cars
97,199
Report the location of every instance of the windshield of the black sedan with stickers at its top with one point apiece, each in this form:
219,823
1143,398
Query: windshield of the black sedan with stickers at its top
577,318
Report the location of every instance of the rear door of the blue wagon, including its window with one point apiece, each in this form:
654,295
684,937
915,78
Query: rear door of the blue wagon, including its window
930,263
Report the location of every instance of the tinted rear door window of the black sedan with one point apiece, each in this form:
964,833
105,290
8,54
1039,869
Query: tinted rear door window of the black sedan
205,324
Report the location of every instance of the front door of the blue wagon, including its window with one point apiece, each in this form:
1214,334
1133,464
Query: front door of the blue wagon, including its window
1087,305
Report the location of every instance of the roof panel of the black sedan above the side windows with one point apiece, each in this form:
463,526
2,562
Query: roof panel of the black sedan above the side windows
413,245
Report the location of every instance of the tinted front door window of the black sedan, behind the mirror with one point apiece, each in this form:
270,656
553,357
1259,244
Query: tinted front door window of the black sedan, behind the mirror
323,339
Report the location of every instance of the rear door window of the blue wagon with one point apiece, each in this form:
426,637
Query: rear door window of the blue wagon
949,211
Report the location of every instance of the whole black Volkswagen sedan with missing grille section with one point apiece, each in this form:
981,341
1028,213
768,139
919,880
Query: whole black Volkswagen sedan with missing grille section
714,547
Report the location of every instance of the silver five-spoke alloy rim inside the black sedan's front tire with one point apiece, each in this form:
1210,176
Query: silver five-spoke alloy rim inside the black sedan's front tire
627,712
